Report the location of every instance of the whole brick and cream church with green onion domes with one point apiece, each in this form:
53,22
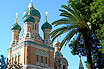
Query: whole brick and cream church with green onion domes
30,49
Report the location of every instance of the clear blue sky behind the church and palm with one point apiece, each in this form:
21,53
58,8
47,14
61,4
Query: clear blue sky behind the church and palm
8,9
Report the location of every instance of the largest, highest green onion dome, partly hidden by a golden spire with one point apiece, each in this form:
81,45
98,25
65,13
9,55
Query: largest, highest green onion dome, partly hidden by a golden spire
33,12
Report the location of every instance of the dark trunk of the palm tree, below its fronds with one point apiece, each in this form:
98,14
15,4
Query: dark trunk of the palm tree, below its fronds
87,49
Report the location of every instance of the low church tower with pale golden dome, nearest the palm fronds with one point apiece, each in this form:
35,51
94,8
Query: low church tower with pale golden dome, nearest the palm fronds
60,62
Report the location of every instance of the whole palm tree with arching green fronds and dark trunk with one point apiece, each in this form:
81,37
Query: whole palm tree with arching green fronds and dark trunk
74,23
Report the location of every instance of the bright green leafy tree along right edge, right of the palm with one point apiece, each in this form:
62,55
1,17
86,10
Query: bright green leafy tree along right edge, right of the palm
97,18
